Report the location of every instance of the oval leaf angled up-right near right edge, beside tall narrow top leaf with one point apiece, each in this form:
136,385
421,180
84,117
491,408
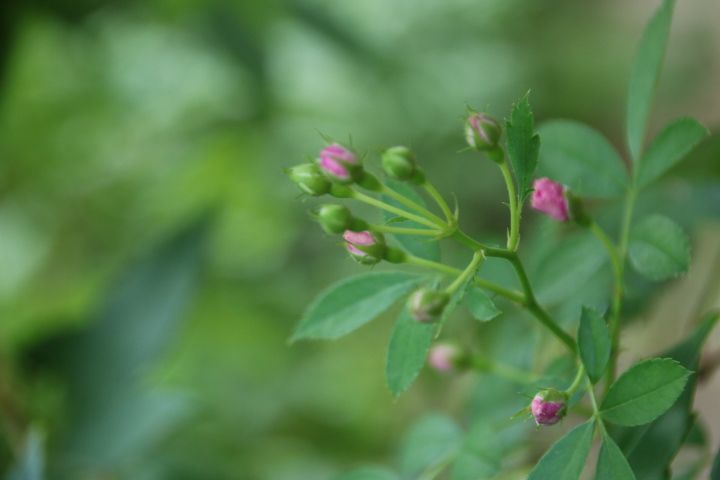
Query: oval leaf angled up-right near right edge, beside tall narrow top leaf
669,147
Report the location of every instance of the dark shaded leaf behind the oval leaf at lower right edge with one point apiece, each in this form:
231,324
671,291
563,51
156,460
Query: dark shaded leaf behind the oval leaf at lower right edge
651,448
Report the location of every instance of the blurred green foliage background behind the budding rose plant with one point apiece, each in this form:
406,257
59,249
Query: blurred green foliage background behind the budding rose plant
154,258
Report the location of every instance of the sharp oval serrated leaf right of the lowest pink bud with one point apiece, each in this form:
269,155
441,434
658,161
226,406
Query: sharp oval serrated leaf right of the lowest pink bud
644,392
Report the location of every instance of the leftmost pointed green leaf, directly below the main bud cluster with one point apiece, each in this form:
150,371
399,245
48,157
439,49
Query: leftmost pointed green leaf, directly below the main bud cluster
352,303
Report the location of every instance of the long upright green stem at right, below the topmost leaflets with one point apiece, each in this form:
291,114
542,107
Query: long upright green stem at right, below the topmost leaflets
614,320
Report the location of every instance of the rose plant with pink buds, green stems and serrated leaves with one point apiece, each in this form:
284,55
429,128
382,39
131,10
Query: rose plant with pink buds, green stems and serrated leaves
648,406
